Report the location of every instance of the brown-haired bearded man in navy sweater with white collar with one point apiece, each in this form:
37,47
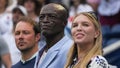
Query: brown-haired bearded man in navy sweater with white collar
27,35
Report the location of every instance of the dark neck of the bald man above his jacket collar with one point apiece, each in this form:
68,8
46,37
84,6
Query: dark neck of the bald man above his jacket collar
51,40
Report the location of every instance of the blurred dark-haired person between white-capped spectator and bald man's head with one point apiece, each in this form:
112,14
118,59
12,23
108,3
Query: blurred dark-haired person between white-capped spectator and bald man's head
33,8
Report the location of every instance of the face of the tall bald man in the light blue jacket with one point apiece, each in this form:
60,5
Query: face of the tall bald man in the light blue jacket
50,21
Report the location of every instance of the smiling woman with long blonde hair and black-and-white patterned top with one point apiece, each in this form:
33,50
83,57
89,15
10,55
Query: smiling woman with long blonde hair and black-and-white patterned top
87,49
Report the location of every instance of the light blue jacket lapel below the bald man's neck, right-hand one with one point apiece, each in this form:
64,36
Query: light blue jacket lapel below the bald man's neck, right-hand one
52,53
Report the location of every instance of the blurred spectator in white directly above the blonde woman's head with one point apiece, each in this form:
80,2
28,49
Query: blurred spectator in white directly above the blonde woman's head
78,6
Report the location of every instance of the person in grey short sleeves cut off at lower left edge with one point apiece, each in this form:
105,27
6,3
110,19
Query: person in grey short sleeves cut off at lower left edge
4,54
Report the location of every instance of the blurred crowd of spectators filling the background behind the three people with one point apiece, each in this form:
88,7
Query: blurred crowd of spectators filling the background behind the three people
107,12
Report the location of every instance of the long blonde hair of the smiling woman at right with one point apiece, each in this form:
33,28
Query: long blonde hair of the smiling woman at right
97,48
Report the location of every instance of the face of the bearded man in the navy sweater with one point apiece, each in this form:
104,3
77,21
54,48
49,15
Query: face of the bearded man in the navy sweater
25,37
